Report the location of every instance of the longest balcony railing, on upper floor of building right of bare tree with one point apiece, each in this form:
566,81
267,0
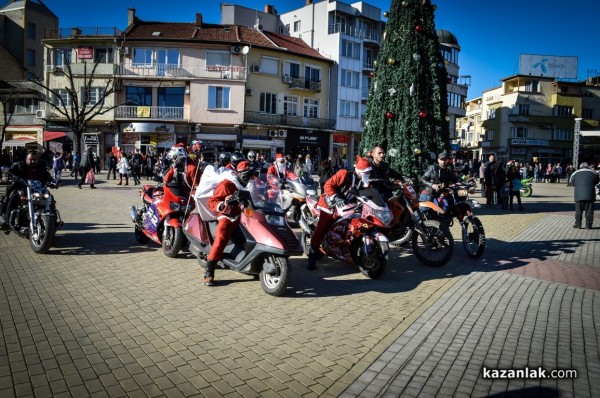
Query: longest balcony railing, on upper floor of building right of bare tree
181,71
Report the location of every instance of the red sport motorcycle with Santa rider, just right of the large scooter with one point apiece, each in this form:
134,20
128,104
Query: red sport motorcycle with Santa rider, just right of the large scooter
354,236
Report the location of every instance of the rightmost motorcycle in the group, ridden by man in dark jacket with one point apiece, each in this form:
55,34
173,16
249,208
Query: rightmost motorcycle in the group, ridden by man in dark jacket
455,202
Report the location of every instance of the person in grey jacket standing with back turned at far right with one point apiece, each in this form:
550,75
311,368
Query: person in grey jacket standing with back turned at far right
584,181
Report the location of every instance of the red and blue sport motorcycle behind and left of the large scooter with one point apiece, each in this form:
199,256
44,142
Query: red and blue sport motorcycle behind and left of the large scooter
161,216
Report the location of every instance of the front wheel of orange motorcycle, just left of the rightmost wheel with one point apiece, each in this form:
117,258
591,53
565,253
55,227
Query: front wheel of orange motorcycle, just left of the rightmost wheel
441,244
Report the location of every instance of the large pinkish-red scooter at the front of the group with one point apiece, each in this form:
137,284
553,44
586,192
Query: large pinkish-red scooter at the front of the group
260,246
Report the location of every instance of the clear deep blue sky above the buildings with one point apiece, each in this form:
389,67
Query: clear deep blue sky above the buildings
492,35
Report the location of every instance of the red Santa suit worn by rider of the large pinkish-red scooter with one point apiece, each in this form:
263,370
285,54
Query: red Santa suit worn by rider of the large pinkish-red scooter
228,216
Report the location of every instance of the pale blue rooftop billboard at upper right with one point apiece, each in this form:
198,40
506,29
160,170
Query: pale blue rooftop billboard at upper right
548,66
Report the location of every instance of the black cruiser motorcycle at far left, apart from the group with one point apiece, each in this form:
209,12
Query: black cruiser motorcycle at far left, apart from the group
36,218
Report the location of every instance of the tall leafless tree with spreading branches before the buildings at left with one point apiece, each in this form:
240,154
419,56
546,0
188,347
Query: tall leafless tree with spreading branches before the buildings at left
77,107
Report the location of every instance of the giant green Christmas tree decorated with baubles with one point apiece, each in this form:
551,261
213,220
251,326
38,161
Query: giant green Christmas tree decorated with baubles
407,104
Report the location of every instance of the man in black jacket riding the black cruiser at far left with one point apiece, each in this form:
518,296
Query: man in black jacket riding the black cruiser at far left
29,169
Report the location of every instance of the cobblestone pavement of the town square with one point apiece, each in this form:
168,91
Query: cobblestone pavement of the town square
102,315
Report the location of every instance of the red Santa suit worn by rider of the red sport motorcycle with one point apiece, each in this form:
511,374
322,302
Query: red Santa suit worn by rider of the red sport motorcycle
339,184
